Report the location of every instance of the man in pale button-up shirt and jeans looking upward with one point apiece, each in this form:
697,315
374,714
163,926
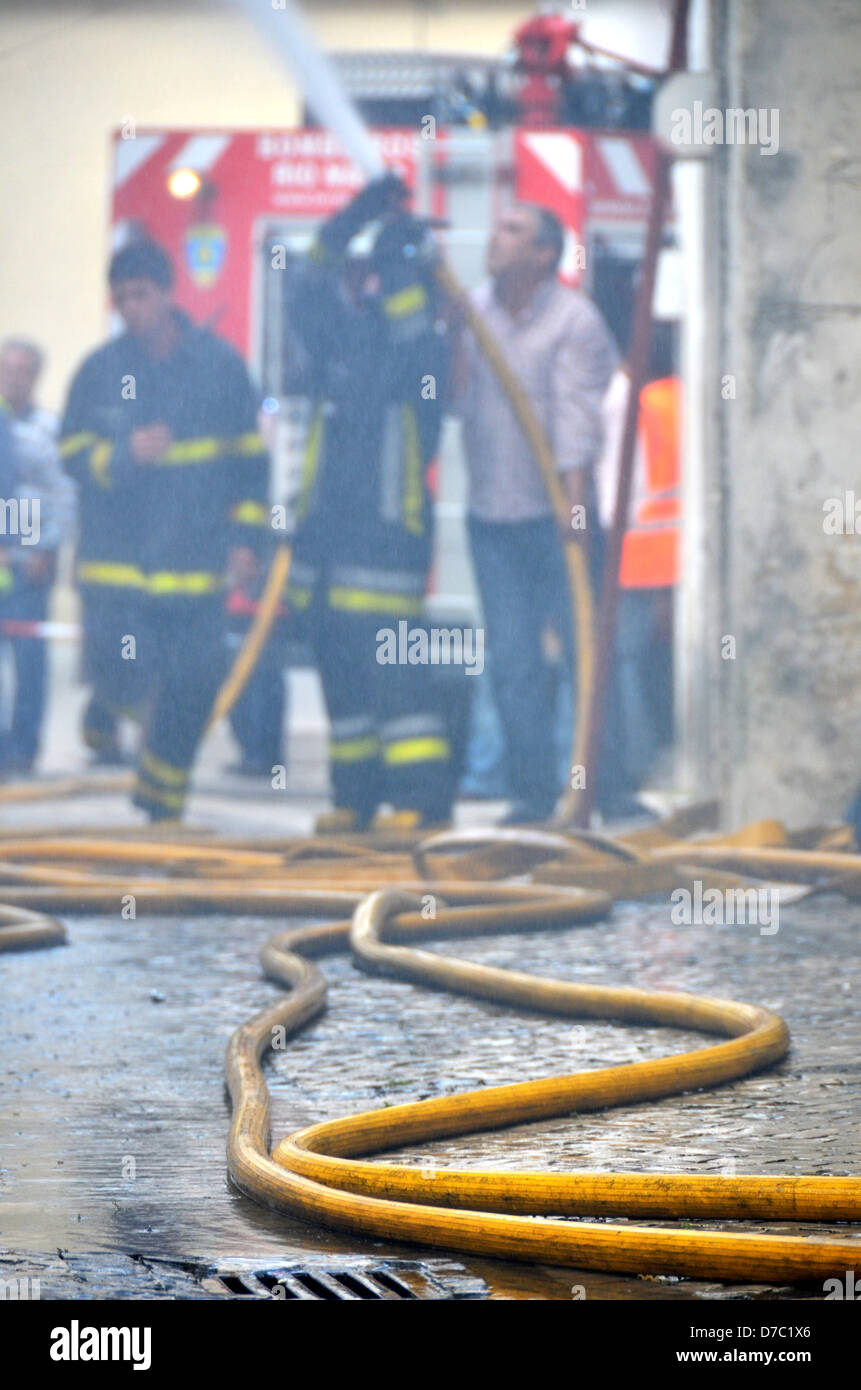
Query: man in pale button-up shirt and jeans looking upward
560,347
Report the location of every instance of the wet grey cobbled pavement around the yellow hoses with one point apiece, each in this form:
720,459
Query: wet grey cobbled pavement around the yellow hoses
115,1117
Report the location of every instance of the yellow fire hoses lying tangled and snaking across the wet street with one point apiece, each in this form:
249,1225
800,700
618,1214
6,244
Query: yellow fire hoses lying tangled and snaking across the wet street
456,886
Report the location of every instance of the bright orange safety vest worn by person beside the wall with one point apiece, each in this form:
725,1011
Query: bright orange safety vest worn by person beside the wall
652,547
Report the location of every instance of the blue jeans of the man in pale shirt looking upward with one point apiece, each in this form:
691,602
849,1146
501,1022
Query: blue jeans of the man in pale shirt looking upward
522,580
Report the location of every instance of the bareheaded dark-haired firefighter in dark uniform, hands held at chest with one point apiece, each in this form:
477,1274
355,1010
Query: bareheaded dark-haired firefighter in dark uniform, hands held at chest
161,434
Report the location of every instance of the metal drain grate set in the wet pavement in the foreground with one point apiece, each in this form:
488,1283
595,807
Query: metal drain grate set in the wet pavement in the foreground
364,1281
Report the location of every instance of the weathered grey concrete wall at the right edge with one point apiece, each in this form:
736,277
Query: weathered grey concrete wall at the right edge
788,327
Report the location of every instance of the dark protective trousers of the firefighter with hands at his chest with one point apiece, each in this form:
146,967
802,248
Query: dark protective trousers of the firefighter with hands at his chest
162,662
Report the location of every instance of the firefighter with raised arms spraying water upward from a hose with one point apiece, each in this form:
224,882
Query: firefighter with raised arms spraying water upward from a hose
376,373
